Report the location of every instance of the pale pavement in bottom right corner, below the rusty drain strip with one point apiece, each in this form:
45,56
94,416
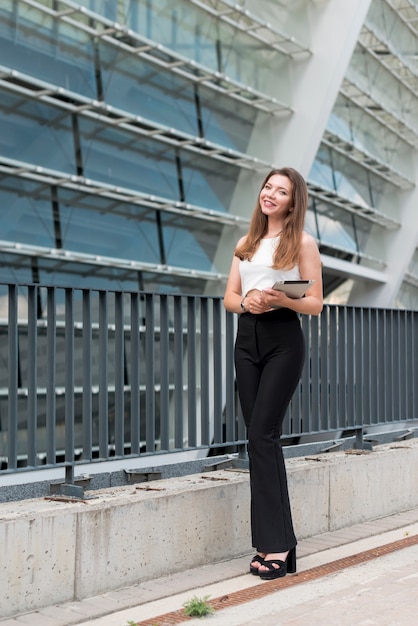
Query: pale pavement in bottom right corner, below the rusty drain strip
380,592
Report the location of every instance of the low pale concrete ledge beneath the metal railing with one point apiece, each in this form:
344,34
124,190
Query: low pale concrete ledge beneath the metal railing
55,551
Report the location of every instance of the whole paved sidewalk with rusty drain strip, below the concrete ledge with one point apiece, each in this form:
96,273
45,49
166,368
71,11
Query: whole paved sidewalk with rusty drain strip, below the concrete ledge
381,588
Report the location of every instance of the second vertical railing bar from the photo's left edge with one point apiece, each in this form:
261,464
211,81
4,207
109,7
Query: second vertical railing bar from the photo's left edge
32,373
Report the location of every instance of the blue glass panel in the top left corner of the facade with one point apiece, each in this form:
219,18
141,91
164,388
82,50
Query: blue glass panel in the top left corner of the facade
50,50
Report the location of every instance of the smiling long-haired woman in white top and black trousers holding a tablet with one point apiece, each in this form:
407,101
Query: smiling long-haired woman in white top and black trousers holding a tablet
270,352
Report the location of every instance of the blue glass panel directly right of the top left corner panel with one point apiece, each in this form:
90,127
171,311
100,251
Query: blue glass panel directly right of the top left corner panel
134,85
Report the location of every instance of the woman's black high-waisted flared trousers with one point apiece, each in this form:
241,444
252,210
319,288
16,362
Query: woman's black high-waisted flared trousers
269,357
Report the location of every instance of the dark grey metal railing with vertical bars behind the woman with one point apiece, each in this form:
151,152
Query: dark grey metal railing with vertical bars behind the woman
97,375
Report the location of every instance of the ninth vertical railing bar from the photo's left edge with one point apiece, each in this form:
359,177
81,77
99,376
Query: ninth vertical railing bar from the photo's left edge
150,373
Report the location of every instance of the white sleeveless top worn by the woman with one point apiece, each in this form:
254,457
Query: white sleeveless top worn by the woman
259,274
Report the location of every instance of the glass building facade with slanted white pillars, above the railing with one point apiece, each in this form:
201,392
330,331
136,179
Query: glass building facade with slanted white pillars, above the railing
134,135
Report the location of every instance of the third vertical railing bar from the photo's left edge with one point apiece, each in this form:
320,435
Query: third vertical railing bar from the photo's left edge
50,383
